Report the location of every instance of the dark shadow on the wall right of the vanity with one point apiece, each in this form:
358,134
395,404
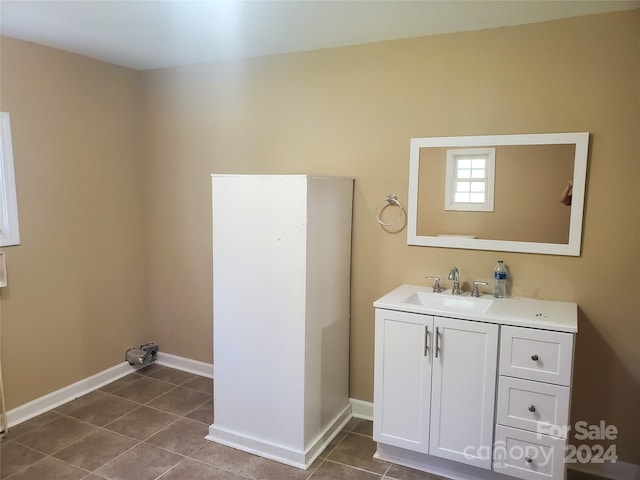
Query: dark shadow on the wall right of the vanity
598,371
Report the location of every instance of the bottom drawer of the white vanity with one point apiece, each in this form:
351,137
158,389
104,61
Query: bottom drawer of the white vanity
528,456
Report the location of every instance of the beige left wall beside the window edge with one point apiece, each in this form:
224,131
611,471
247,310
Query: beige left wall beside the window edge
77,294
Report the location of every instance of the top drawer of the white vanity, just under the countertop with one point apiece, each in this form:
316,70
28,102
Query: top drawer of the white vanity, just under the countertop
536,354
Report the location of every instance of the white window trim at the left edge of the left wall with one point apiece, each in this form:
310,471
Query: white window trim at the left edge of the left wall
9,225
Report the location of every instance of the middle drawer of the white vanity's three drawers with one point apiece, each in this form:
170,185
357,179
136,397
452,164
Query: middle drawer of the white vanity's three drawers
534,406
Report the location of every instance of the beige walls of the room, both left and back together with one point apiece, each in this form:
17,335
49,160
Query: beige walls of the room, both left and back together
77,280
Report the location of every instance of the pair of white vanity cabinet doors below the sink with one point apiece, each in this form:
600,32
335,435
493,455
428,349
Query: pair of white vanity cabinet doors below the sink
435,385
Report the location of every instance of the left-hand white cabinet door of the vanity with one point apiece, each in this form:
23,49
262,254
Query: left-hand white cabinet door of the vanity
403,346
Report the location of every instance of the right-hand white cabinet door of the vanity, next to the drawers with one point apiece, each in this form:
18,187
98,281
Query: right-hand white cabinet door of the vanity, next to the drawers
463,391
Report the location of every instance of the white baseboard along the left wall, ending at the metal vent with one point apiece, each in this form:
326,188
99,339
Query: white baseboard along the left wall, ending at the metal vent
52,400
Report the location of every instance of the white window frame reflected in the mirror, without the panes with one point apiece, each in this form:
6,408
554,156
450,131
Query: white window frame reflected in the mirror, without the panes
449,195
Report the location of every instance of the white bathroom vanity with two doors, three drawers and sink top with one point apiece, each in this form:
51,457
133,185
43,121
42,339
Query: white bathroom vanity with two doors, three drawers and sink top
472,388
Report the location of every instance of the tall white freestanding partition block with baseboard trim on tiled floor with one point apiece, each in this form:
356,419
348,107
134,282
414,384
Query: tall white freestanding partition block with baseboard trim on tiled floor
281,281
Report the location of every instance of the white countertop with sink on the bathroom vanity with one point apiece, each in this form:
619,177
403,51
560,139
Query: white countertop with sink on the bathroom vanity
517,311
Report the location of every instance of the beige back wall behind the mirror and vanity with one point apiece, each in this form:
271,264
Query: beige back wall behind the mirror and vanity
351,111
